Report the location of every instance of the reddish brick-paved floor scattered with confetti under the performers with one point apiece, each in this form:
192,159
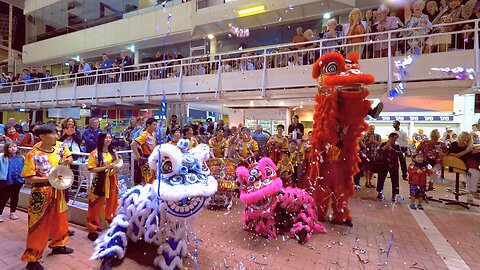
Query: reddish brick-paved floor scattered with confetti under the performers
226,246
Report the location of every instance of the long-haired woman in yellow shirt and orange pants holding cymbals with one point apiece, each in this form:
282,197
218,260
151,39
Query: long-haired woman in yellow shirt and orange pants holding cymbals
103,194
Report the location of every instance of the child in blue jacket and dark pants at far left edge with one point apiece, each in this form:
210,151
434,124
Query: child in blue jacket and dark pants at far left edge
11,166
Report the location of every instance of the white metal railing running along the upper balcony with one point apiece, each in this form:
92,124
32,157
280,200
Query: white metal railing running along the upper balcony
398,42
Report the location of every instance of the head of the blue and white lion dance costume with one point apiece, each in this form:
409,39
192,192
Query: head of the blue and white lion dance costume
184,178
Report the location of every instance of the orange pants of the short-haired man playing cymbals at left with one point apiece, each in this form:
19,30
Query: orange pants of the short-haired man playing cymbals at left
45,220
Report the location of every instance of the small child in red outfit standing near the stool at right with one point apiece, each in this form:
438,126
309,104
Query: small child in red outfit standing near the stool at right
417,174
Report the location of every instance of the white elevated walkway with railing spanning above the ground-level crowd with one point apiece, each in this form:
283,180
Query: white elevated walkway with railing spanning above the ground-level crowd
267,75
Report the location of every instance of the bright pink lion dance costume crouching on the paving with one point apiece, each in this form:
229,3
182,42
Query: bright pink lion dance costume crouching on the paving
272,209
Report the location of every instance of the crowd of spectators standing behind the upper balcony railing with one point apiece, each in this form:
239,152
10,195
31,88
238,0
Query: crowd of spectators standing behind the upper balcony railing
362,33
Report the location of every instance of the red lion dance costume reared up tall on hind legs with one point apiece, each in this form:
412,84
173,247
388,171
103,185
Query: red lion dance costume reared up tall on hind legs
339,120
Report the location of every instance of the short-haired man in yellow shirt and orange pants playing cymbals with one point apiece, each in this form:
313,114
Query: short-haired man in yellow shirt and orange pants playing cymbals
47,208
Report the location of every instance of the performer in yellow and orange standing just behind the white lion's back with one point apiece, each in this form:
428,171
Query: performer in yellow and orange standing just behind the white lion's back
145,143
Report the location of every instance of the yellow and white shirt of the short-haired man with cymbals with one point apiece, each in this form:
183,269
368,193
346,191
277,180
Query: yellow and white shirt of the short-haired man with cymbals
39,162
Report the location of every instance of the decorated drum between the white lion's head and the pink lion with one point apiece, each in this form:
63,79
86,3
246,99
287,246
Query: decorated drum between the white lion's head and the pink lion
224,171
